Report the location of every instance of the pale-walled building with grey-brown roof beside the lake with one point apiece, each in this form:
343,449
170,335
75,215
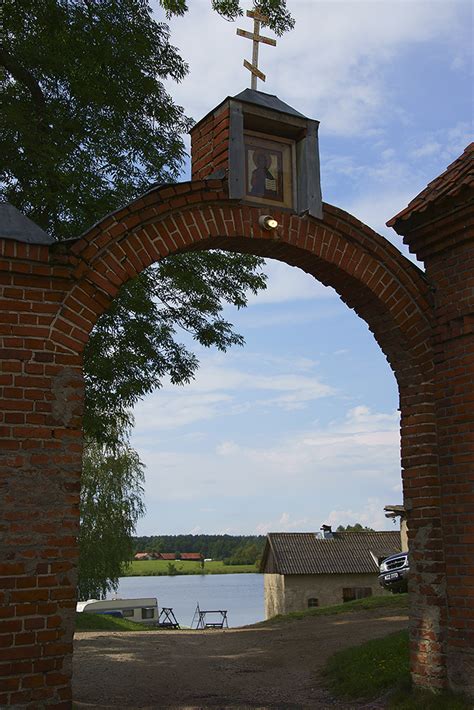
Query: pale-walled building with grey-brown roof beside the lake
303,570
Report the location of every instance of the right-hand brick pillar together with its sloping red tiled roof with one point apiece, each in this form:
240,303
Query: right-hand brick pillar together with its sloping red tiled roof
439,227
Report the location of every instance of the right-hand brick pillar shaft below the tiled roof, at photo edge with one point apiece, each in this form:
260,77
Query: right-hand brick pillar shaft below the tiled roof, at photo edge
453,273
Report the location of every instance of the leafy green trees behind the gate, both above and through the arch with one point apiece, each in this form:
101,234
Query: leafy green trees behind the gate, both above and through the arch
87,126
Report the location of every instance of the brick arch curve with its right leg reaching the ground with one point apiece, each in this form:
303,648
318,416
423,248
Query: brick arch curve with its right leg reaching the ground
371,276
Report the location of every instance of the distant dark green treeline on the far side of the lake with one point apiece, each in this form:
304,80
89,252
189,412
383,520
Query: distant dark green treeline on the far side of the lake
233,549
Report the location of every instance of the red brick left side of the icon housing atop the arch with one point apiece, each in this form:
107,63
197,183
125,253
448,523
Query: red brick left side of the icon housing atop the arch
210,144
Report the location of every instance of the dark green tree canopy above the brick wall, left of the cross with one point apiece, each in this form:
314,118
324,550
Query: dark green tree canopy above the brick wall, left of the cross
87,122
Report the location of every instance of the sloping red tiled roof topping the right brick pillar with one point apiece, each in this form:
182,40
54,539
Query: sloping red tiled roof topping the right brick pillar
458,175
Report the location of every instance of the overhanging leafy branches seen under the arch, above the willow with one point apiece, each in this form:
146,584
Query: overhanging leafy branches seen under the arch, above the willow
135,343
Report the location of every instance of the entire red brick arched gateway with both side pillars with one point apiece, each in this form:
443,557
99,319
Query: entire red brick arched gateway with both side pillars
52,295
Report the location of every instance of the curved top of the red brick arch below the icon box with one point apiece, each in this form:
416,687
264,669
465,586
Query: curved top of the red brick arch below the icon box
370,274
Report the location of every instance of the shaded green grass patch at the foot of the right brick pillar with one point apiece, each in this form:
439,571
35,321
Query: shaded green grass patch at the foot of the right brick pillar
381,667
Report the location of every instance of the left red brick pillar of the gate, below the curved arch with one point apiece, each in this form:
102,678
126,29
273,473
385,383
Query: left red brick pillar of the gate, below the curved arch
40,464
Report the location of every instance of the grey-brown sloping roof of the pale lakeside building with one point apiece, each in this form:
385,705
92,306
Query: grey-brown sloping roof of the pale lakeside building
344,553
